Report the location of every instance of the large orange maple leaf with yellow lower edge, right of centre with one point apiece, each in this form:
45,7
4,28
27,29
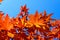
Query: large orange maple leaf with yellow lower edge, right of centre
35,19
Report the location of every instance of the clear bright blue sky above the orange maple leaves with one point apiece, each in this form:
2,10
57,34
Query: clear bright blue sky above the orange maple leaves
12,7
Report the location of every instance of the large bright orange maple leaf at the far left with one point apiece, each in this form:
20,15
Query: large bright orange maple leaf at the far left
7,23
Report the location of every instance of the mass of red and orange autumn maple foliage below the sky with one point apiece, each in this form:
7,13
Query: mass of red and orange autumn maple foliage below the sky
24,26
